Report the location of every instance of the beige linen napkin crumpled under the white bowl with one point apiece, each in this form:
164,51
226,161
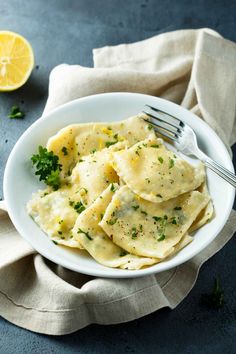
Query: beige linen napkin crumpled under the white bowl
195,68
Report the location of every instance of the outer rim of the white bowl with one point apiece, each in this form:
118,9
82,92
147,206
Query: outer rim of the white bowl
117,273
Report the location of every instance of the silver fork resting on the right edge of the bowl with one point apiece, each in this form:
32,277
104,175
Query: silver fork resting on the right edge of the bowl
185,139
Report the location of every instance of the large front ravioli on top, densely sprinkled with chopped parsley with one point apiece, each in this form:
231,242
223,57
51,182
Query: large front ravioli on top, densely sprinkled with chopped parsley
150,229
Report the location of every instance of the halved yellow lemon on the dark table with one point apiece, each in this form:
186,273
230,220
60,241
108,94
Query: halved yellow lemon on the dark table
16,60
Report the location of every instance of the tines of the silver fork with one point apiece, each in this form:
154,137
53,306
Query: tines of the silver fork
164,123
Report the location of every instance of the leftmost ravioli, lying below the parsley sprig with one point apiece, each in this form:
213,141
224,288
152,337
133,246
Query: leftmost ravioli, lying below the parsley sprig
55,213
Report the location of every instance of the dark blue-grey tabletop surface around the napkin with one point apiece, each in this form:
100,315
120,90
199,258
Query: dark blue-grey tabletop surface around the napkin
67,31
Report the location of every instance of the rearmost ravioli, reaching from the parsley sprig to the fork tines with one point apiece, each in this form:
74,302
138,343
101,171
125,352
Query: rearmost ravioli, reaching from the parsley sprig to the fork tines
73,142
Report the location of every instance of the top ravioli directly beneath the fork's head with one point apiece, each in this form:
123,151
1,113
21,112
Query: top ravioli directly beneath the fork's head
155,173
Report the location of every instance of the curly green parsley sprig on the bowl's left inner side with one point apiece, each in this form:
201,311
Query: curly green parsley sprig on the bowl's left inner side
47,167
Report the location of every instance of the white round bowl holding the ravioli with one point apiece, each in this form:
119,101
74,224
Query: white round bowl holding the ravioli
20,181
